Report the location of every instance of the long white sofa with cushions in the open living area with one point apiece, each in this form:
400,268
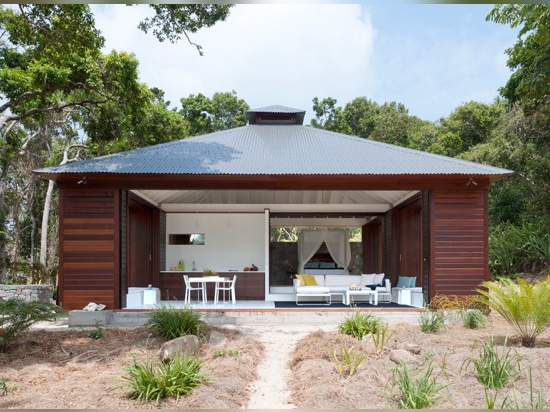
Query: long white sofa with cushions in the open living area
328,284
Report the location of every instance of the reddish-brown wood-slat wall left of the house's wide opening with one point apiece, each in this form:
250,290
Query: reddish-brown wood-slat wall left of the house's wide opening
89,248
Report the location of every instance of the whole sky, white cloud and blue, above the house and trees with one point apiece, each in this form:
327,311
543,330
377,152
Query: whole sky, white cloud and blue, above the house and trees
430,57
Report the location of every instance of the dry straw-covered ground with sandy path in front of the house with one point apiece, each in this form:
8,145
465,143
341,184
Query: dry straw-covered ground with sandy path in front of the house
68,370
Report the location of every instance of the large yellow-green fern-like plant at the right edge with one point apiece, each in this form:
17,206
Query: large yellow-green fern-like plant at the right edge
525,306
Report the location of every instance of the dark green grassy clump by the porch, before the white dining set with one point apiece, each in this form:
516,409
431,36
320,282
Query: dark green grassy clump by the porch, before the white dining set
171,323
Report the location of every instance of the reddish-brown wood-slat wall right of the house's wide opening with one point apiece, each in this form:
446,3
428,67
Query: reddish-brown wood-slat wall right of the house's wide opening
459,260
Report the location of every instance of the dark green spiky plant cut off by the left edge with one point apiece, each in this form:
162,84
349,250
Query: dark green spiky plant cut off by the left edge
17,315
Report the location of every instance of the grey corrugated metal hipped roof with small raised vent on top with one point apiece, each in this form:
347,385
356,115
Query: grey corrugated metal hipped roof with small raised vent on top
275,149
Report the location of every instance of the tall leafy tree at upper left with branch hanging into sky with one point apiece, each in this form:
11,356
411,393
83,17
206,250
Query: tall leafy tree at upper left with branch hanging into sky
51,63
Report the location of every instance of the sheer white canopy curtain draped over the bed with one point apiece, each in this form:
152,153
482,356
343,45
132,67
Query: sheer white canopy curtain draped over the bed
309,242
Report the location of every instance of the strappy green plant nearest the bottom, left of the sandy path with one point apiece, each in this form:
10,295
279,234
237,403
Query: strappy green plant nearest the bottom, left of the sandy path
177,377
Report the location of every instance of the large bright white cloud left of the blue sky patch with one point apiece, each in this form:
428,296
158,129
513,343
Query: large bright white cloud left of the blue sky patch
269,54
